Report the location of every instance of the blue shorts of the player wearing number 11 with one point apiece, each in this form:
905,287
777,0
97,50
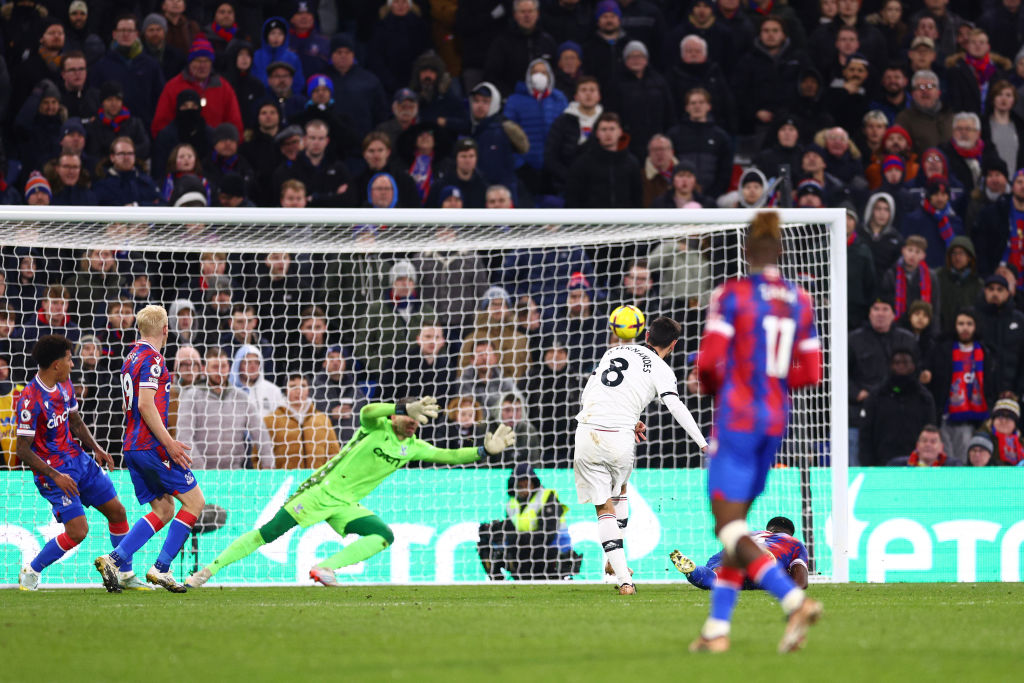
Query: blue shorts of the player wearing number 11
739,467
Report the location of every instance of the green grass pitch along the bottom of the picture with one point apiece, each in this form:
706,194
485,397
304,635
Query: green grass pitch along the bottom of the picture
504,633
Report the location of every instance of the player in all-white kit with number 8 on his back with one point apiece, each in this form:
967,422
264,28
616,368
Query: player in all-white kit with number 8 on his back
626,380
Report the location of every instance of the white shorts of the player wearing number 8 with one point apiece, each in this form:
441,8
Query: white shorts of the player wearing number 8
604,462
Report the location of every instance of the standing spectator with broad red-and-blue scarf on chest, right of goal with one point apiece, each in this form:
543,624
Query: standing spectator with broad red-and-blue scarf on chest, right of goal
961,374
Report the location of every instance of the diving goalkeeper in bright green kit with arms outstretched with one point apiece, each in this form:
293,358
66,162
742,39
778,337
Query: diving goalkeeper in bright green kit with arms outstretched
386,442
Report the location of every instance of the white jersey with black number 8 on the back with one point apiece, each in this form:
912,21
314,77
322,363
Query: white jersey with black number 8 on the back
628,378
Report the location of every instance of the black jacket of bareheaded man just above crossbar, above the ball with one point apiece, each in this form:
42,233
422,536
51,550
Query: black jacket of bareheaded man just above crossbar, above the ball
600,179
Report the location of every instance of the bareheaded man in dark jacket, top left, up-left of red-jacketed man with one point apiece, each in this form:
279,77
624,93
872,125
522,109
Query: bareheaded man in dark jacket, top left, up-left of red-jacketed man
126,63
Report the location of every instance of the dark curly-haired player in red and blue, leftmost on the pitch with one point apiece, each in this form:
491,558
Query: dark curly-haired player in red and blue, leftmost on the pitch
69,480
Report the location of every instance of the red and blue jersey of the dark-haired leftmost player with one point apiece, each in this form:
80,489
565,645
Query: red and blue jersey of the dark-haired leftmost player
44,413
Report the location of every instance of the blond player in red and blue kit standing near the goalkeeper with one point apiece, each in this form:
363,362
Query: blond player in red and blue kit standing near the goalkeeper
158,463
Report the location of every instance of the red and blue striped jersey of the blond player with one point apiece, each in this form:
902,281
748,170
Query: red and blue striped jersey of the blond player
144,369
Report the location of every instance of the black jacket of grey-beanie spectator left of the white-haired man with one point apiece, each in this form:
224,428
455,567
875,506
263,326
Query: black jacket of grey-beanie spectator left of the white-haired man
646,106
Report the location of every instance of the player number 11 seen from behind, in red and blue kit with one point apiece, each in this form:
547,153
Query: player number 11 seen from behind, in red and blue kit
760,341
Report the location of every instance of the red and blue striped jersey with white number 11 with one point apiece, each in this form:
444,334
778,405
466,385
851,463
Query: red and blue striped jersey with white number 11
758,328
